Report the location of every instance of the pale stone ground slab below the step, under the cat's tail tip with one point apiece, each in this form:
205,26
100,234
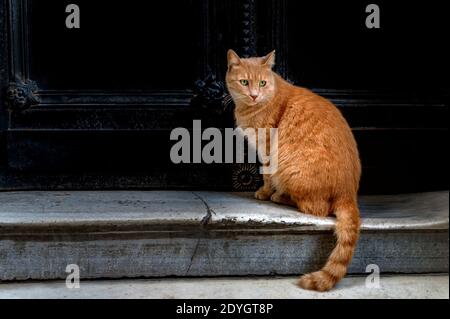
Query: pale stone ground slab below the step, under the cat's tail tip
398,287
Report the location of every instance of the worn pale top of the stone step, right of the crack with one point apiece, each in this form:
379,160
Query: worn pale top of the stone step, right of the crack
408,211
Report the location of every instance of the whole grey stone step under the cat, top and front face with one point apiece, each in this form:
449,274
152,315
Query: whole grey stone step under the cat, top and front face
131,234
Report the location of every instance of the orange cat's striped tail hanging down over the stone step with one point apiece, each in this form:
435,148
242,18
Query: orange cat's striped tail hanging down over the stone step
347,234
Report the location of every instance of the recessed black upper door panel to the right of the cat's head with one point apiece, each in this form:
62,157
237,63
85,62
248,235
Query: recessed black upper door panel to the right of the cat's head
330,47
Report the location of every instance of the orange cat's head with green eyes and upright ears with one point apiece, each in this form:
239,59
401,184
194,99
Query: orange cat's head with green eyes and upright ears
251,81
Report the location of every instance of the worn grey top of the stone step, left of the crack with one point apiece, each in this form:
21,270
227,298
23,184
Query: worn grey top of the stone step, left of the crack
85,208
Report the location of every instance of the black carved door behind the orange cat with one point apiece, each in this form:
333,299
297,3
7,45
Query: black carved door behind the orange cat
94,107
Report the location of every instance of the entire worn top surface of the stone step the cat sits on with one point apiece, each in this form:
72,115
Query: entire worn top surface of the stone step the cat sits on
411,211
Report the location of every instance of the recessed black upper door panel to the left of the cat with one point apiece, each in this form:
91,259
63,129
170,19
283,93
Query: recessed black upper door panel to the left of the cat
137,46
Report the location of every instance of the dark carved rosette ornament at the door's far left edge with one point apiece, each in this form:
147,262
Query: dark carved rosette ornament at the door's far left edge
22,95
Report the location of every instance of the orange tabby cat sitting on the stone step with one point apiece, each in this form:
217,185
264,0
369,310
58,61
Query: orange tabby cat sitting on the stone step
318,161
